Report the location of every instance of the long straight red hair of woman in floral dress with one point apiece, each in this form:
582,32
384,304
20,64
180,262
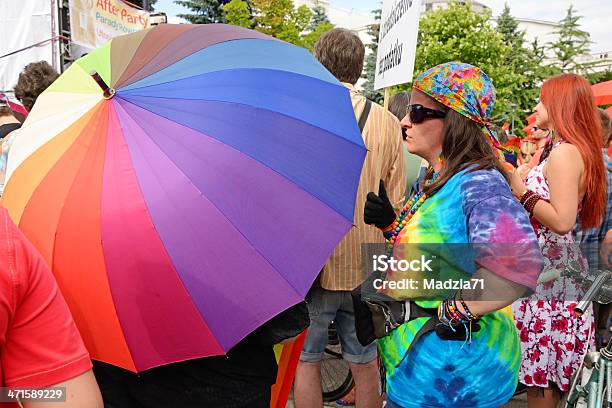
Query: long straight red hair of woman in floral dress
570,103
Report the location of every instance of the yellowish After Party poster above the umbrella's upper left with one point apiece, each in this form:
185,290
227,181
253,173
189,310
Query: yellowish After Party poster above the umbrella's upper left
94,22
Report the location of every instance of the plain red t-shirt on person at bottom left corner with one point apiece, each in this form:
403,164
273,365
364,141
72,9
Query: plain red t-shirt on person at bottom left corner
39,342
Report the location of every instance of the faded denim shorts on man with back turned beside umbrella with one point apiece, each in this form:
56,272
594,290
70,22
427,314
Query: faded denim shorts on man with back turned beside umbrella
325,306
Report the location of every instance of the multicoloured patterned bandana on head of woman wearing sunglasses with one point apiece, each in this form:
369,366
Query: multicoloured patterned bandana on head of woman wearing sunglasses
463,88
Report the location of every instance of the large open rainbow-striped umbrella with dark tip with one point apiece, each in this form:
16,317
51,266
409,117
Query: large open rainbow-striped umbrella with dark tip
186,183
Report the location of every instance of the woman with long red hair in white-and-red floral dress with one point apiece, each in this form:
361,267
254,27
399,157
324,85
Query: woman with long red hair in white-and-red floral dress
567,182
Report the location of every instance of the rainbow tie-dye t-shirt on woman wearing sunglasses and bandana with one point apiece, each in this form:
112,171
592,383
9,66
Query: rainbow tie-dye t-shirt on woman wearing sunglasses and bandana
476,208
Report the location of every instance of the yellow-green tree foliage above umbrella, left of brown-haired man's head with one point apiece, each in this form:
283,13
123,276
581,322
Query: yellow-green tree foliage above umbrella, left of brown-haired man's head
280,19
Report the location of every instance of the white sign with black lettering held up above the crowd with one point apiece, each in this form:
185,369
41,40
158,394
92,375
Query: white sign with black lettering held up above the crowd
399,26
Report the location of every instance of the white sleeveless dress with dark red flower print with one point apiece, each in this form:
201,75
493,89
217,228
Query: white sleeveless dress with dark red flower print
553,339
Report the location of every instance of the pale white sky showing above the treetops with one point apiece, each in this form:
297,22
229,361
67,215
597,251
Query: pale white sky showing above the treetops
597,14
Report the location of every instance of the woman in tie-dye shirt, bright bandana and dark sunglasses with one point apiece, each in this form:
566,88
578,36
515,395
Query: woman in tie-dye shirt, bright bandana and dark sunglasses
455,348
